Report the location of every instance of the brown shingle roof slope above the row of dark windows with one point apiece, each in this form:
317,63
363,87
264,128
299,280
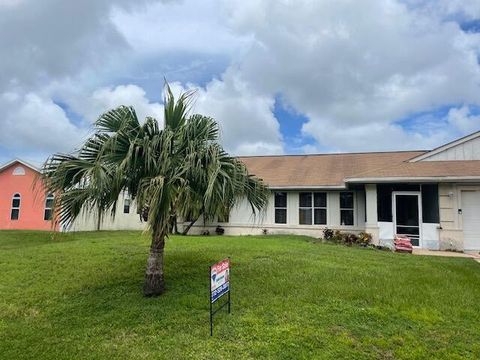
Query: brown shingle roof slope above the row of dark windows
327,170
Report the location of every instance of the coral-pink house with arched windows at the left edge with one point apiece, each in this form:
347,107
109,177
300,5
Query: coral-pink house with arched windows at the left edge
24,203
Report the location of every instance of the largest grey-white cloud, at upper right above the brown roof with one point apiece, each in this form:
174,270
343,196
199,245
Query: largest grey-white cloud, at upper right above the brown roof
354,68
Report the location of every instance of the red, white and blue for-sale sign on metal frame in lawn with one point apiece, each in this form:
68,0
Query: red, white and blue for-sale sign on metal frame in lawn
219,286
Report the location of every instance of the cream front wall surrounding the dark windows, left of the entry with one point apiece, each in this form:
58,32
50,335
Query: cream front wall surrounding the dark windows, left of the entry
242,221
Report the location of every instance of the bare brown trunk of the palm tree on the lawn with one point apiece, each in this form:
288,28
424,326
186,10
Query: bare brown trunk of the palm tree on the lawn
154,284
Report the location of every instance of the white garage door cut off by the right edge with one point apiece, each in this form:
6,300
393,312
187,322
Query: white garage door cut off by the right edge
471,219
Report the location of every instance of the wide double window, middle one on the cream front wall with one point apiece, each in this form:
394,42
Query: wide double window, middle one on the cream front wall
312,207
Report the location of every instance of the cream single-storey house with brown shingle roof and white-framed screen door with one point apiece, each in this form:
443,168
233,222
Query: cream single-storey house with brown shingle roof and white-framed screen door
433,196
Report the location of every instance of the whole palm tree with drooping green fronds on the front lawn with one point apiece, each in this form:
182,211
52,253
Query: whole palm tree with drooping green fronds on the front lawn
167,172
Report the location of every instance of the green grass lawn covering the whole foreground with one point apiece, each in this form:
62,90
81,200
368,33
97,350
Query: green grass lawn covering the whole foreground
79,296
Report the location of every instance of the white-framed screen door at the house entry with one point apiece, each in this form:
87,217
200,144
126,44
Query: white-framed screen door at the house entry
407,214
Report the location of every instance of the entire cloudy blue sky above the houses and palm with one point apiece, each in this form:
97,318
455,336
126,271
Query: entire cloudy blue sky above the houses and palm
279,76
